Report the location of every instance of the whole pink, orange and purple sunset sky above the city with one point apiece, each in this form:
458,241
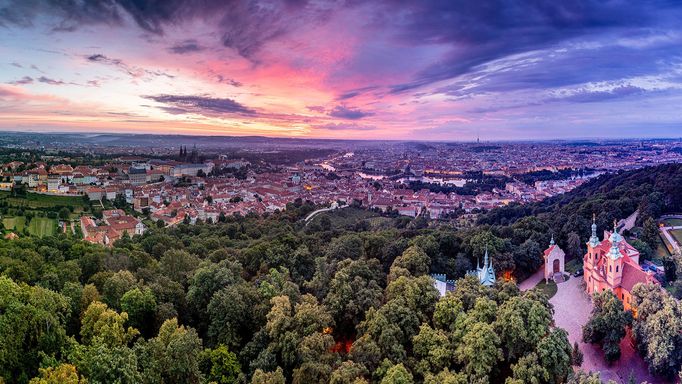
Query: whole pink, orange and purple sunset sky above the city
426,70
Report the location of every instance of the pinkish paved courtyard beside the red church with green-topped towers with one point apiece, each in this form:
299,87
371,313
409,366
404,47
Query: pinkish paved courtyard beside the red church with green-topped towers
572,307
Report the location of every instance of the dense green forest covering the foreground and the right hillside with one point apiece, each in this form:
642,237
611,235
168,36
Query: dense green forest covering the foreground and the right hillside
268,300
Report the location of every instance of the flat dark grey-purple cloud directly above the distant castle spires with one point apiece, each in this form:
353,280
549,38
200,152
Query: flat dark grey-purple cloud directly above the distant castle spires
202,105
